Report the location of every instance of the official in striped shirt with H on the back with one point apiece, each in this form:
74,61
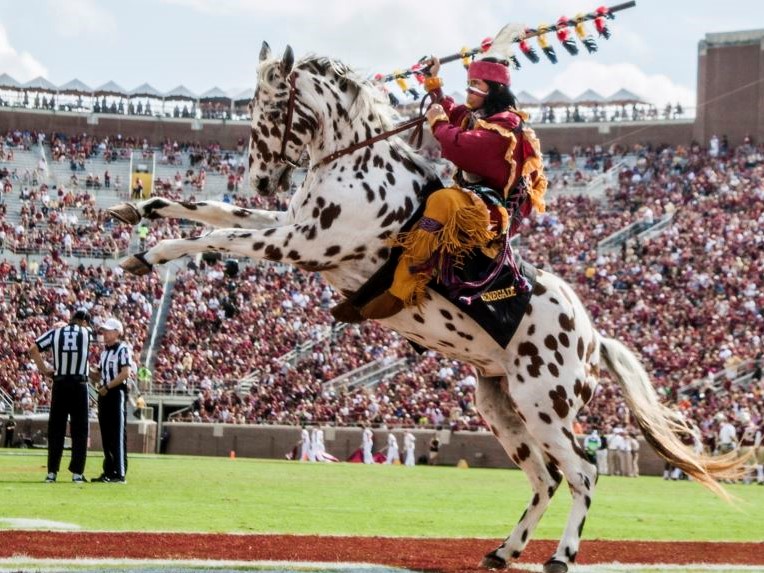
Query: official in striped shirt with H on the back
69,346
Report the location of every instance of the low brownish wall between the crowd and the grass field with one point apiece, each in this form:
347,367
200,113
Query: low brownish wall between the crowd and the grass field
478,449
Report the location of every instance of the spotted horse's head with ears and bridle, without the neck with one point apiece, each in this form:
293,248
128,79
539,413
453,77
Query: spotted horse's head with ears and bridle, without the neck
279,131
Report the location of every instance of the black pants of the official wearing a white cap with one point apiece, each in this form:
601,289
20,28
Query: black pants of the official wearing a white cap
112,417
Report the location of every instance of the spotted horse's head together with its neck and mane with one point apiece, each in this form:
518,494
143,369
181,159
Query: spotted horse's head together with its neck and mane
317,104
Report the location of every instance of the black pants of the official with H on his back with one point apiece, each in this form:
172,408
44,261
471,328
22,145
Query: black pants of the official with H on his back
69,400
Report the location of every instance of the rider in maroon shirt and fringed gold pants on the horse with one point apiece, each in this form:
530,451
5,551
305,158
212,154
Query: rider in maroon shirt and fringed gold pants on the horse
500,179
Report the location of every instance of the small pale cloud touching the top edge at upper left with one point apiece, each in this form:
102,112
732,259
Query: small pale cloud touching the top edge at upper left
76,18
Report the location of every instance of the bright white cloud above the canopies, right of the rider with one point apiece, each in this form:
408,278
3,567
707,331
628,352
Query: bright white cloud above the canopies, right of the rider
606,79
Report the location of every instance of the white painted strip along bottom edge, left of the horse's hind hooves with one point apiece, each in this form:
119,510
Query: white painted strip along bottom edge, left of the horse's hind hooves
12,565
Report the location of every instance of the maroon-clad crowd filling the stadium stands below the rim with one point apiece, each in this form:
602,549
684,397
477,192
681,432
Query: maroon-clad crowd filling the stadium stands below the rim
688,300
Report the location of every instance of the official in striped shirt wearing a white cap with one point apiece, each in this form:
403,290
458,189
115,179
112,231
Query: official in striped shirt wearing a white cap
112,372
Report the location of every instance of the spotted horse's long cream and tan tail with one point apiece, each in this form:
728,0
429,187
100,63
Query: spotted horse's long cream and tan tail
661,426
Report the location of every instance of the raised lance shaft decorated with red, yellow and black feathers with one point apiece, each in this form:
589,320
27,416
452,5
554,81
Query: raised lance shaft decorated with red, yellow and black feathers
598,16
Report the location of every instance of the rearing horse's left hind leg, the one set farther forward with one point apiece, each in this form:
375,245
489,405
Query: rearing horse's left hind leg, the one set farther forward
508,426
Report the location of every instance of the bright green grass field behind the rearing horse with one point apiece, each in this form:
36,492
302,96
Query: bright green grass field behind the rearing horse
173,493
